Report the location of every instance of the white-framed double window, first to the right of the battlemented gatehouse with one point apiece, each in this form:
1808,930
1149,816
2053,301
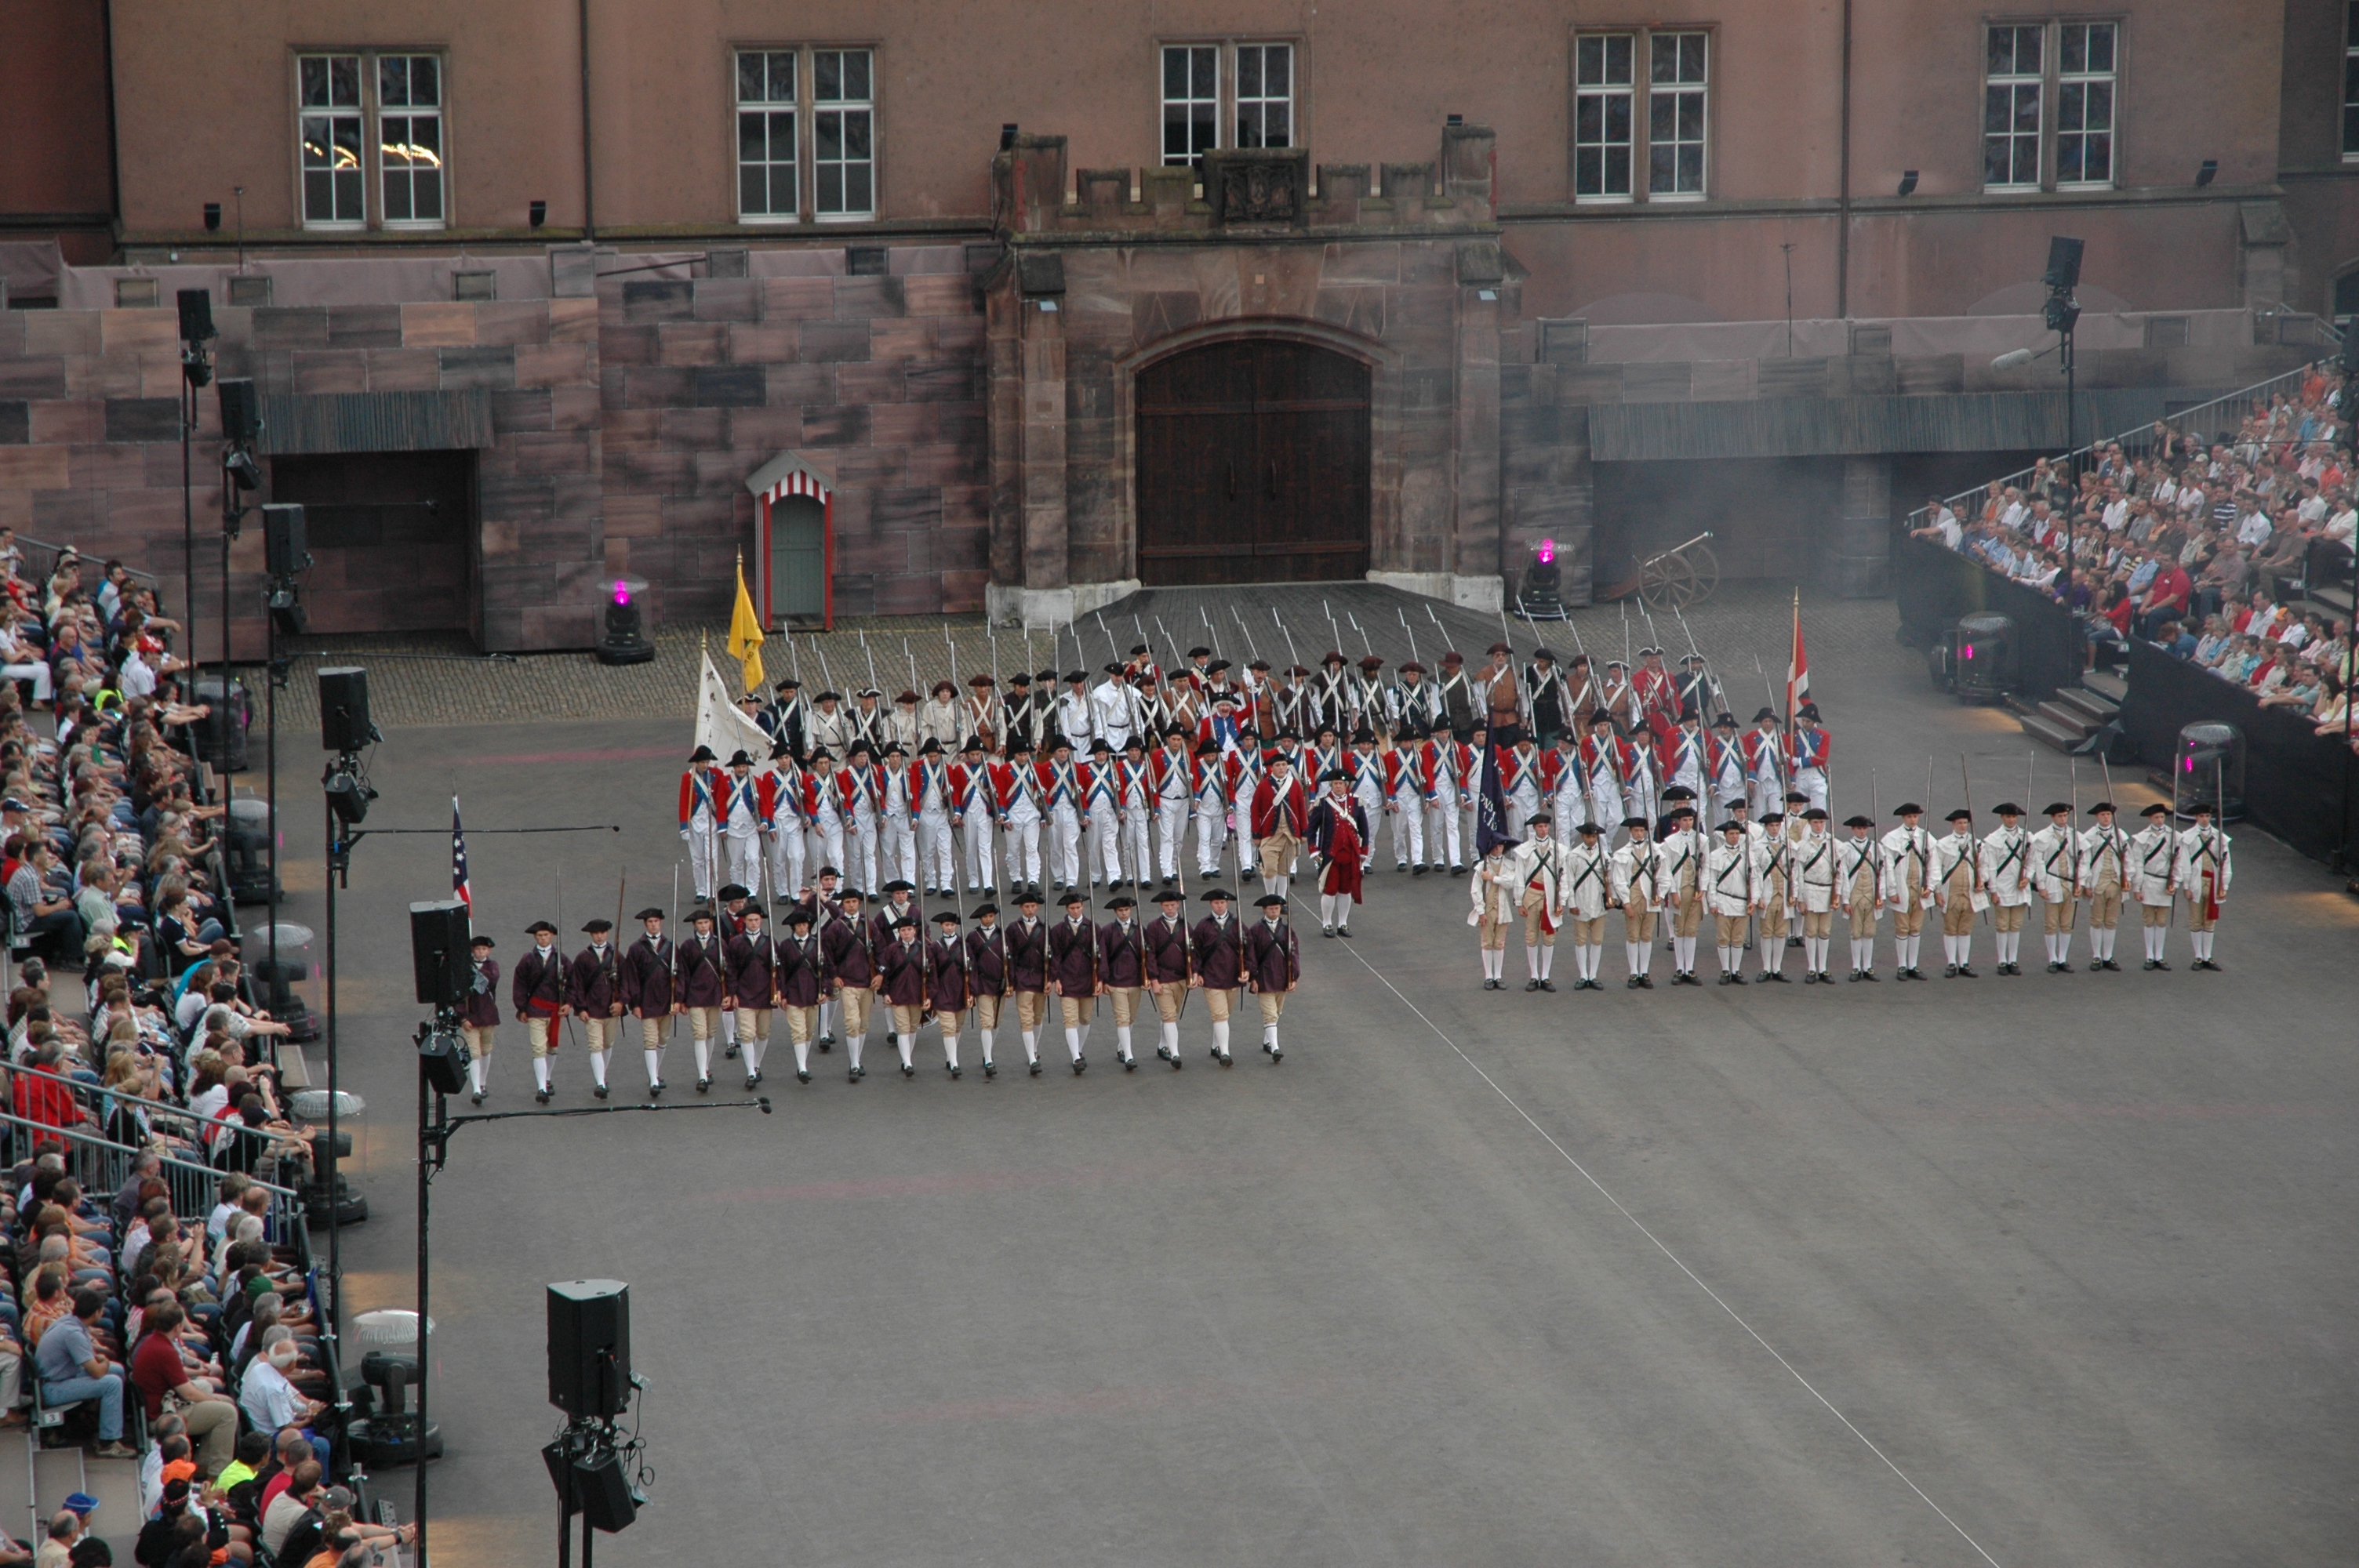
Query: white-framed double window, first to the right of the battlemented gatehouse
1641,103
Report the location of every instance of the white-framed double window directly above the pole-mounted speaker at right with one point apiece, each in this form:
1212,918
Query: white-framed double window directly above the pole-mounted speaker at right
2051,105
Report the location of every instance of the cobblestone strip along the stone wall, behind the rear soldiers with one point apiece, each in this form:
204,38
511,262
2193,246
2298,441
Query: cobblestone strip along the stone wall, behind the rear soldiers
431,680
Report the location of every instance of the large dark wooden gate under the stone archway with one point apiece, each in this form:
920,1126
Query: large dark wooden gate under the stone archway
1254,466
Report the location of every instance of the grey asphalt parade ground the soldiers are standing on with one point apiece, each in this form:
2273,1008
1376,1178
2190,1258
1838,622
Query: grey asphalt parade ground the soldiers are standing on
2046,1270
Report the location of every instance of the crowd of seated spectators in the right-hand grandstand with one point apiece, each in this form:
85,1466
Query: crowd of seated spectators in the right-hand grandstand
2209,551
